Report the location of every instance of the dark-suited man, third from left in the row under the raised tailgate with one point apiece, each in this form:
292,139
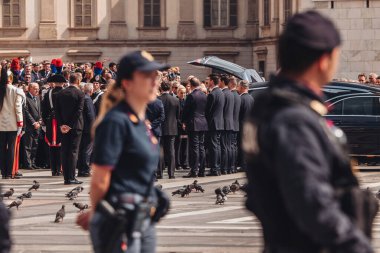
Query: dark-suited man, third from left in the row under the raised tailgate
226,136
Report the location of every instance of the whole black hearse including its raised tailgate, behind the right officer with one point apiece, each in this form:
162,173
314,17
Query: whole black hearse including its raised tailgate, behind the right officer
353,107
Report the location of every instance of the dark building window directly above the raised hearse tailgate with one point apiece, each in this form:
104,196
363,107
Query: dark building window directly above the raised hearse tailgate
220,13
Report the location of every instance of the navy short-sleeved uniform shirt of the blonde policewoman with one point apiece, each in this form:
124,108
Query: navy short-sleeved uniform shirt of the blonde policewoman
124,142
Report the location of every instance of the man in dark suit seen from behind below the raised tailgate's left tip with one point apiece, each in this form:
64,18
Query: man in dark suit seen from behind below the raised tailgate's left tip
195,122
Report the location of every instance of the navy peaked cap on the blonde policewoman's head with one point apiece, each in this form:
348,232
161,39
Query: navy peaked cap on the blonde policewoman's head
138,61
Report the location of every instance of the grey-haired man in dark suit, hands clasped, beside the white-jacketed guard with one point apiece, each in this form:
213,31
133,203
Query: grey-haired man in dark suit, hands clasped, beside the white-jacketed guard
33,120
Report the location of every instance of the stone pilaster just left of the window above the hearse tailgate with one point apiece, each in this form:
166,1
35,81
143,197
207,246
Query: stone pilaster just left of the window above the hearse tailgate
186,23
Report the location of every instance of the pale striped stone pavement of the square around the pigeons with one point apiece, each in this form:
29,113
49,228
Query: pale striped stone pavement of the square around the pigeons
194,224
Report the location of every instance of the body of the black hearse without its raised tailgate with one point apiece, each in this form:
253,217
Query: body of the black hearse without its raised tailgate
356,109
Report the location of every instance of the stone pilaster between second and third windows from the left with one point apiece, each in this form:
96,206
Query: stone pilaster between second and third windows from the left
118,26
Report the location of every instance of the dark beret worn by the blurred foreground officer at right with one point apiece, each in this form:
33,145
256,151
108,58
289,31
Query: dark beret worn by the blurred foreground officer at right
312,30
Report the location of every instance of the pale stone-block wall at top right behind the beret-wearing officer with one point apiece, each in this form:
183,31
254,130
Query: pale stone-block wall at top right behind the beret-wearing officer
359,25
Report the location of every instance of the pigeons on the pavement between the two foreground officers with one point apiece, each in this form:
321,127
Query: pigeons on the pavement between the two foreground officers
221,192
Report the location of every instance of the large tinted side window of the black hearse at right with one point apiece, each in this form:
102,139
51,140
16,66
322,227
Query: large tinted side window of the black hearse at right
358,106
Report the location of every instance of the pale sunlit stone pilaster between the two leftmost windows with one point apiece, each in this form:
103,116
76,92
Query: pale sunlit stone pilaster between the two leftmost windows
48,25
